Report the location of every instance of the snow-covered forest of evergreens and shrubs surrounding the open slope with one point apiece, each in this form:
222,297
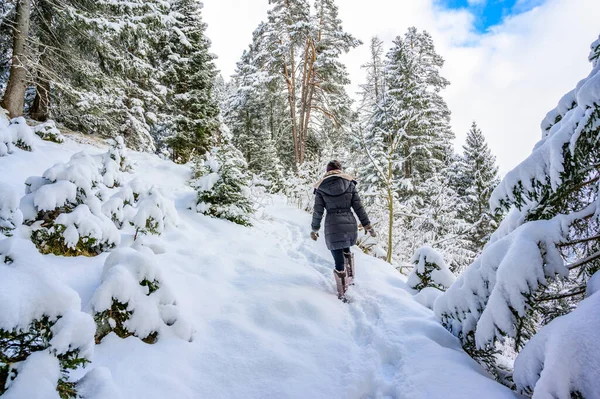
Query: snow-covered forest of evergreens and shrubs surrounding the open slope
506,264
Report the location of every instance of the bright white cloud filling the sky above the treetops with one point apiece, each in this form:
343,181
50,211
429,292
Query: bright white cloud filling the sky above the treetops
506,79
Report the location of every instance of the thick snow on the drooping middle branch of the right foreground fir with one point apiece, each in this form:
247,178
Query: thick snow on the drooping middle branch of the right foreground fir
497,283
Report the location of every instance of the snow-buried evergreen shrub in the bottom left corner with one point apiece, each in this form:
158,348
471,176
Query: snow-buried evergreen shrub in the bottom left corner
43,333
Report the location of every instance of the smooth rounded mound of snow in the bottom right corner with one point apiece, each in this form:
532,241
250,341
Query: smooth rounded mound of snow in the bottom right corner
564,356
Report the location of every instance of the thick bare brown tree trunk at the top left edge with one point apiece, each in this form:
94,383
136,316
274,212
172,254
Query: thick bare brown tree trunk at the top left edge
14,97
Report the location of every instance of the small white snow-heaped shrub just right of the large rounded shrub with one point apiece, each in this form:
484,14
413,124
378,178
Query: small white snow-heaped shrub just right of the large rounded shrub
154,212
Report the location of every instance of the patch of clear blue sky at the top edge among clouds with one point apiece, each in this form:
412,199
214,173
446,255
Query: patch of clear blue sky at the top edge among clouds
491,12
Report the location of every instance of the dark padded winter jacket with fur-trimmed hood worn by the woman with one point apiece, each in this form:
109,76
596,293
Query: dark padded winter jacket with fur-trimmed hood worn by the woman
338,196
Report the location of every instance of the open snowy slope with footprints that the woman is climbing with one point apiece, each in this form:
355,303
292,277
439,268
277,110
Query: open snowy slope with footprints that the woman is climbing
262,302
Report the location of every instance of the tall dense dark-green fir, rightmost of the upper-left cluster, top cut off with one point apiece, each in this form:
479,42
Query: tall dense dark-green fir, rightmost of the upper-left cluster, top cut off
189,76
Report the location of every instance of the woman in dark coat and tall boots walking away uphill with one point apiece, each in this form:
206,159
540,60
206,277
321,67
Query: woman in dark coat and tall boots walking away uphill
336,193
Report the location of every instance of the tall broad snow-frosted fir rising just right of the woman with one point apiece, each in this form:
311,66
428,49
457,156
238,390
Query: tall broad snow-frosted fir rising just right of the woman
405,137
